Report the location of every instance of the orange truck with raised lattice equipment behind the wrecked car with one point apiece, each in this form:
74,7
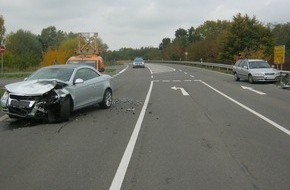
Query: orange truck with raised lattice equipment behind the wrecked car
88,52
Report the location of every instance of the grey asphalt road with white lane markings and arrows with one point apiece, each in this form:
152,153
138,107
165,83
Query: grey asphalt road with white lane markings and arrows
170,127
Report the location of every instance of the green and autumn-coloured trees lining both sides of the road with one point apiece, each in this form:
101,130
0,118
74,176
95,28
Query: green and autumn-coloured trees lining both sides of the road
214,41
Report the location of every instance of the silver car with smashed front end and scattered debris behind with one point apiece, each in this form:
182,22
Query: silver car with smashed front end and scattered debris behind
53,92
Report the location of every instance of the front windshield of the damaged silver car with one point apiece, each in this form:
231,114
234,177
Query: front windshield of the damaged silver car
63,74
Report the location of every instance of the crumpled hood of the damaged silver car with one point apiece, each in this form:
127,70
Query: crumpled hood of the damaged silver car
33,87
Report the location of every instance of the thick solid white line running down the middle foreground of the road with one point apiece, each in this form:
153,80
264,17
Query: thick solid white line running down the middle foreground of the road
120,174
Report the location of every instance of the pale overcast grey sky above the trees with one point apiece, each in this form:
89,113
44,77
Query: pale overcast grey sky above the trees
133,23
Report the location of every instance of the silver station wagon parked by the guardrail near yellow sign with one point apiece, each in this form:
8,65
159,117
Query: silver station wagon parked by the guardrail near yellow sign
255,70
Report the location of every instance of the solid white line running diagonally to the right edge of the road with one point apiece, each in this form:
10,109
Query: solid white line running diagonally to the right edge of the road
249,109
